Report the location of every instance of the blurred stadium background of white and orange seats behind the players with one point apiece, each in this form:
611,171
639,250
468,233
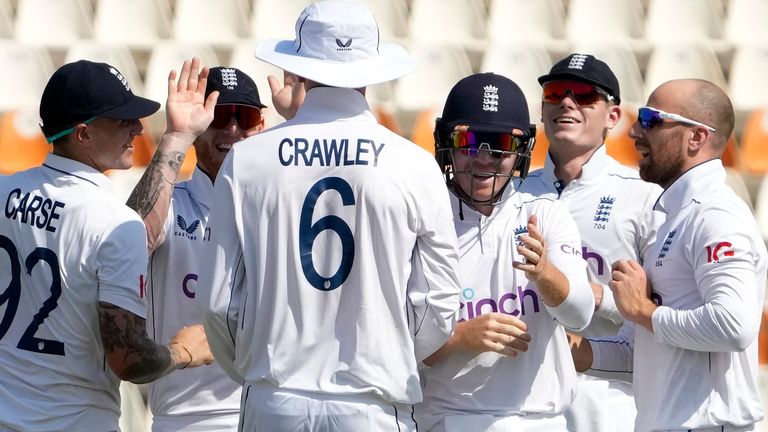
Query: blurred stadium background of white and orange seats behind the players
646,42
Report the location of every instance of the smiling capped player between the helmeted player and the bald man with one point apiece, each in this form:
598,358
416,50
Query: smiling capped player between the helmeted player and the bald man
612,206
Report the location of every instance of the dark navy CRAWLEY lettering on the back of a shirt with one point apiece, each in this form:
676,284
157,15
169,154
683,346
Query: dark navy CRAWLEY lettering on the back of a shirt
328,152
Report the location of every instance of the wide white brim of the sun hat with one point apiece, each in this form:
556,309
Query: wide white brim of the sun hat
392,62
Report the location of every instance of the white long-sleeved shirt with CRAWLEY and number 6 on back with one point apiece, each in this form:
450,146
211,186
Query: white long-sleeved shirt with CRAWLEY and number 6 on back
315,227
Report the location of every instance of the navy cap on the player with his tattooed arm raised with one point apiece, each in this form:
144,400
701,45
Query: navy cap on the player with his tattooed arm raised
234,86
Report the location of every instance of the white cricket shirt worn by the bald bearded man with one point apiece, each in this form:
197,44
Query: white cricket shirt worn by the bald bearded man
708,271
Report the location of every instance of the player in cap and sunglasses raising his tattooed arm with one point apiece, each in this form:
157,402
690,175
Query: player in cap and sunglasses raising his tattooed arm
202,399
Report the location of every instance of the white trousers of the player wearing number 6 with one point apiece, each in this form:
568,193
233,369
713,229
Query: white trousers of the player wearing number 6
270,409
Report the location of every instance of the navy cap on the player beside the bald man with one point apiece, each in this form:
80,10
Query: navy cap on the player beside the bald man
585,68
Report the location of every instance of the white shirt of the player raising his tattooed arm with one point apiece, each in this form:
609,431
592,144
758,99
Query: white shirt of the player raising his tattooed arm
204,396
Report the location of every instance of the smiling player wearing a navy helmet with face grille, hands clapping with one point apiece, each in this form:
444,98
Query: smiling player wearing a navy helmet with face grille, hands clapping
508,365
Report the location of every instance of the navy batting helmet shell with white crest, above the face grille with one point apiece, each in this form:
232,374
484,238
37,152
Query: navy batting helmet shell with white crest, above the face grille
487,102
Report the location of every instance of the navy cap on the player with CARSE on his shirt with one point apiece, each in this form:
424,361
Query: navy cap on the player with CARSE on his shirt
79,91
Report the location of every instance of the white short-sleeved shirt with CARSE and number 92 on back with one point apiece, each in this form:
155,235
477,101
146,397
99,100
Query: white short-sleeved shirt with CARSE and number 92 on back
65,244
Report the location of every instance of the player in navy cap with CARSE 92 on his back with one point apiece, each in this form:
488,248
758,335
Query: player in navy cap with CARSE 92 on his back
73,262
